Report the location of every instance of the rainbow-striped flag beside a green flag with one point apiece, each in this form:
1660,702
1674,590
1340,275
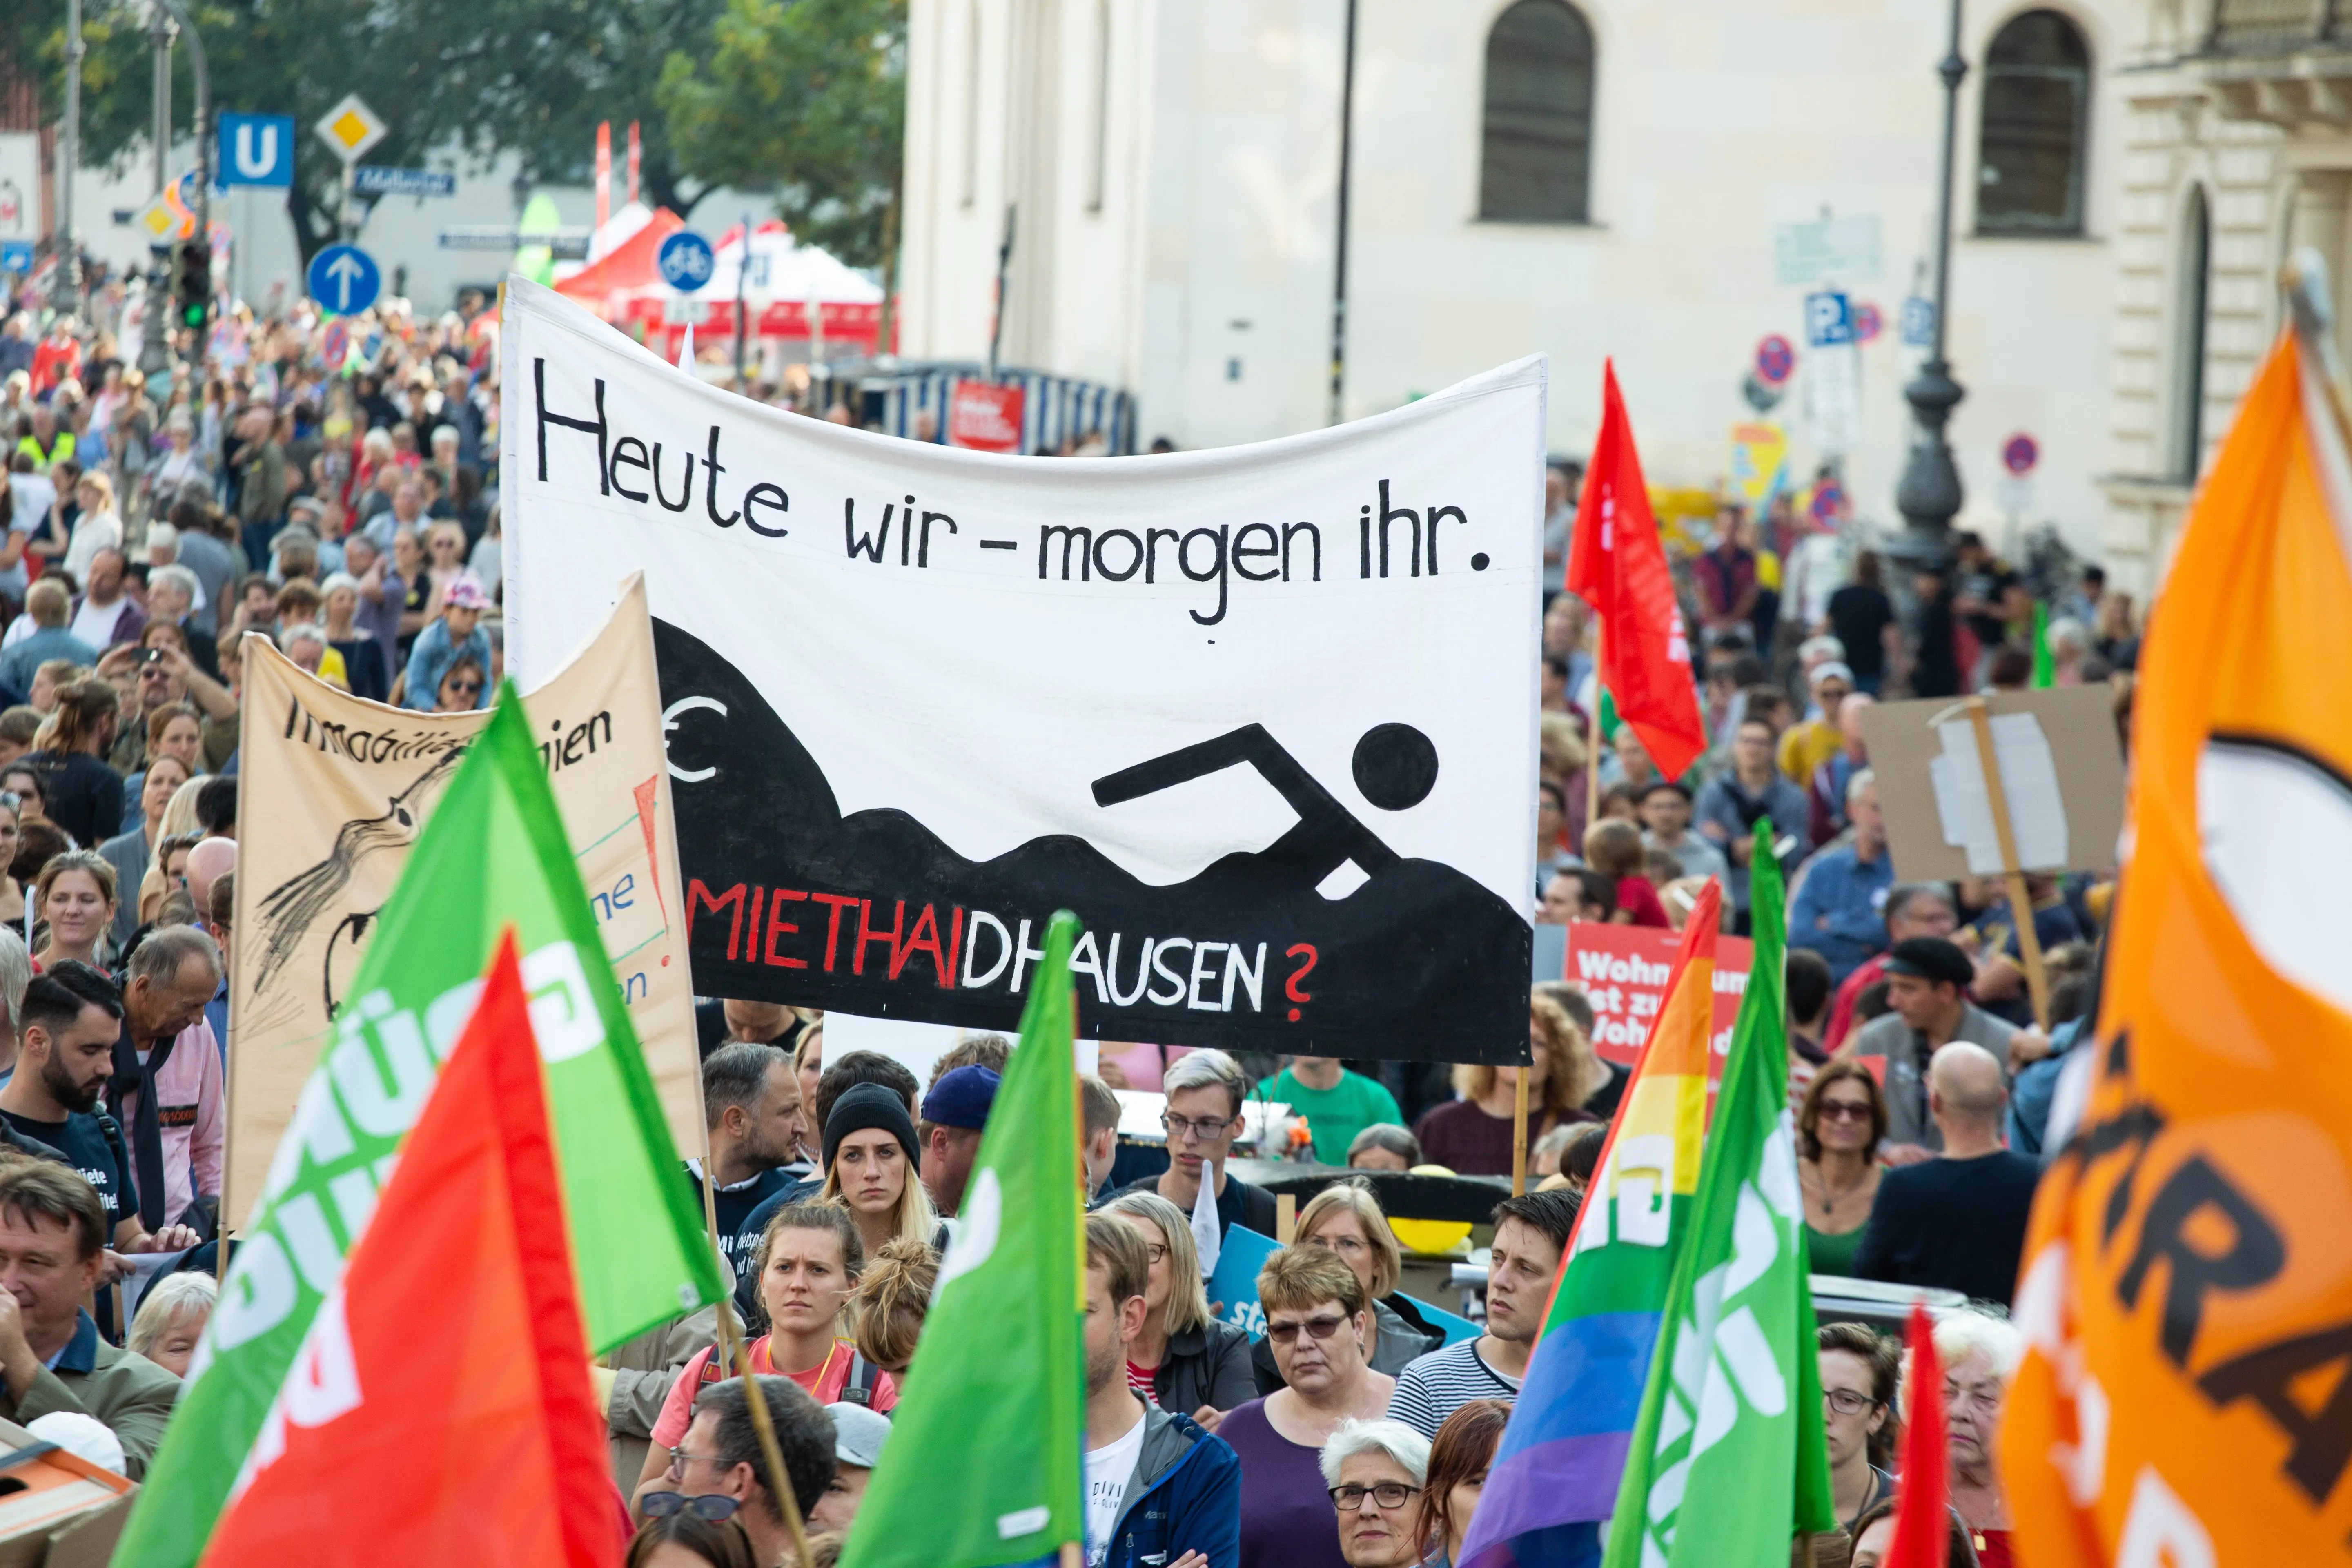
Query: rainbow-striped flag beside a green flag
1556,1475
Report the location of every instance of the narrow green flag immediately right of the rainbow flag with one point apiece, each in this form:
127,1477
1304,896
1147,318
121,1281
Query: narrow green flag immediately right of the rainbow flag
1732,1412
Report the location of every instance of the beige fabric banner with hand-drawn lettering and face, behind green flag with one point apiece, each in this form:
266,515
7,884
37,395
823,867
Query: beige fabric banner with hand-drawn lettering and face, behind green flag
333,793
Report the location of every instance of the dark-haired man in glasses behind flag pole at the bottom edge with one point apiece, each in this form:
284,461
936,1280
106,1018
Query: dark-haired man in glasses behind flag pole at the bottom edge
716,1470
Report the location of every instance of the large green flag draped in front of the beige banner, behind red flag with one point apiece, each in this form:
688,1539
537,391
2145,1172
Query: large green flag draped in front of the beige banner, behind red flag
493,855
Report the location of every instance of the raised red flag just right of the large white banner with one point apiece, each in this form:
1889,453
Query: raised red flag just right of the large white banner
1617,565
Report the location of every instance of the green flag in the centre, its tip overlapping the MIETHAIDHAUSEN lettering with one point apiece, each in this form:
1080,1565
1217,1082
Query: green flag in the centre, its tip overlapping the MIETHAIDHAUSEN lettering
984,1463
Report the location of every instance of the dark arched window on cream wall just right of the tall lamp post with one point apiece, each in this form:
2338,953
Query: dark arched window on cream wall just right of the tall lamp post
2036,128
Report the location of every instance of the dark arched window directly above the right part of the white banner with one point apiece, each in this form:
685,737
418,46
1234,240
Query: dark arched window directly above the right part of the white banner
1537,152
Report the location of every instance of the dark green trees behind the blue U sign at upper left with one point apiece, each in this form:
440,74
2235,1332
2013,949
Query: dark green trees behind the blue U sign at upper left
450,79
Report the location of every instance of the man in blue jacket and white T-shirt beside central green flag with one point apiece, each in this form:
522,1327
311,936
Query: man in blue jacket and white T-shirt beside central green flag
1158,1487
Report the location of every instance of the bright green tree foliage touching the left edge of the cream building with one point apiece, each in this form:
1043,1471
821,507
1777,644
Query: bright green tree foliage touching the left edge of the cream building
806,98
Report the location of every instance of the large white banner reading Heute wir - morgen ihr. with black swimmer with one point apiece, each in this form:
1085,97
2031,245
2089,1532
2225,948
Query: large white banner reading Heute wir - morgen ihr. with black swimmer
1264,718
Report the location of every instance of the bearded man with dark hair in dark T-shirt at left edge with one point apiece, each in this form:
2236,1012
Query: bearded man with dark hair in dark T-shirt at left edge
67,1047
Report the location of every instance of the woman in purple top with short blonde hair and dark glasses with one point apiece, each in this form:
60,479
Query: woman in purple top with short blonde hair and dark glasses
1316,1322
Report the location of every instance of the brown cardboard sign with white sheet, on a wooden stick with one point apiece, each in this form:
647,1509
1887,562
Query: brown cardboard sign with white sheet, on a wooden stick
2062,770
